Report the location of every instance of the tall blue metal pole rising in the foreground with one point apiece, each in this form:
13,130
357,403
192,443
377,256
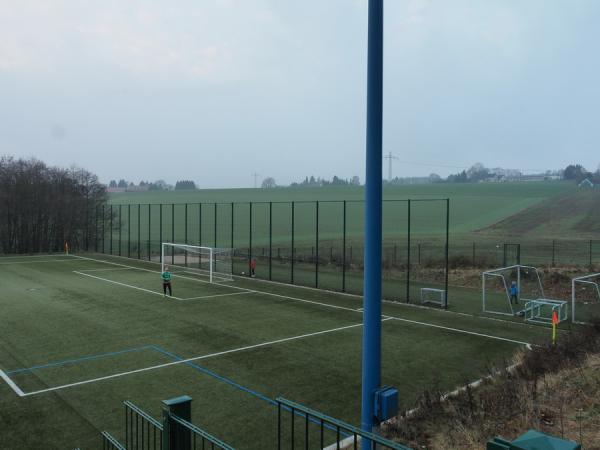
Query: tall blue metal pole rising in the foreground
371,369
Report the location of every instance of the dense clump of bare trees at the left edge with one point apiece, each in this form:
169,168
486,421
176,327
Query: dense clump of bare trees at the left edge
43,207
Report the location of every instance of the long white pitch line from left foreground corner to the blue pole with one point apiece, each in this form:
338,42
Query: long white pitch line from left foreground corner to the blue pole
196,358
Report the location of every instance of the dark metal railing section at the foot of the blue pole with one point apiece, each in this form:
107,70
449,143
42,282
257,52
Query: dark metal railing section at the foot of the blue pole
343,435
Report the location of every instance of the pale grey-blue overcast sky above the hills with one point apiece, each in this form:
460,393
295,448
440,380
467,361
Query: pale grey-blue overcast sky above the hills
215,90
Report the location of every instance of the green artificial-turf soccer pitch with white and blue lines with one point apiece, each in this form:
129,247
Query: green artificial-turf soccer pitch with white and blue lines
81,334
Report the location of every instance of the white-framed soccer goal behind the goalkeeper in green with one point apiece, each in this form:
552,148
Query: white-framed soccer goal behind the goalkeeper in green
212,263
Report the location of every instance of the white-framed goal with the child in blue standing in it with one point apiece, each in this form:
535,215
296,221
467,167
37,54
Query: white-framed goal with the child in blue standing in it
496,287
